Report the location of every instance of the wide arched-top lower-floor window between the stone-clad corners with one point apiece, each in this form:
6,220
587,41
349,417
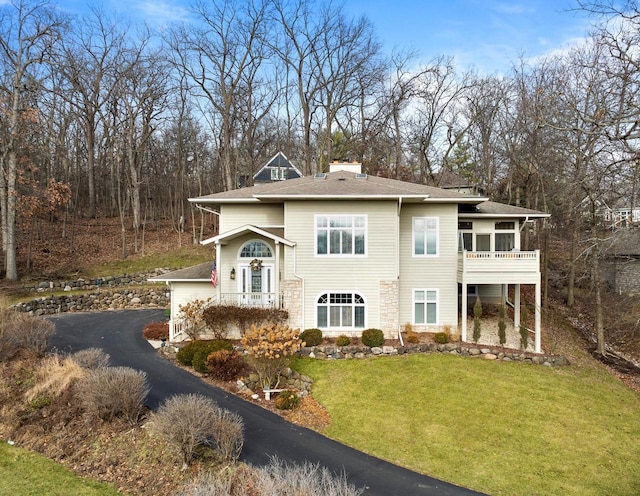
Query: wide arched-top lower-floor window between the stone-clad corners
340,310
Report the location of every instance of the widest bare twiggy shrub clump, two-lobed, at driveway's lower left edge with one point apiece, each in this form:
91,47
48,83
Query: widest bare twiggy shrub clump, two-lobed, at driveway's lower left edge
189,422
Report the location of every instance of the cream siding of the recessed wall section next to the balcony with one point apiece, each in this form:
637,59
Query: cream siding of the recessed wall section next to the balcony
438,272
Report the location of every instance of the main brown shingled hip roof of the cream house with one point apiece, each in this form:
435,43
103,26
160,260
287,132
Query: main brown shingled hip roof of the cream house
341,185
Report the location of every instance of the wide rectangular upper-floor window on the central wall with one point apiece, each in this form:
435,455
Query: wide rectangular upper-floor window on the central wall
341,234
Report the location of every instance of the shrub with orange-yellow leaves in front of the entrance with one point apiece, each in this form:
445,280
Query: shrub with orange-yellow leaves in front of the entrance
269,348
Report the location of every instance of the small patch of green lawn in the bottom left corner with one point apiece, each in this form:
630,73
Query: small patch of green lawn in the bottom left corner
23,473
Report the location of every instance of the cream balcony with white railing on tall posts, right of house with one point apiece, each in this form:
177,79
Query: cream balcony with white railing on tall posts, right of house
499,267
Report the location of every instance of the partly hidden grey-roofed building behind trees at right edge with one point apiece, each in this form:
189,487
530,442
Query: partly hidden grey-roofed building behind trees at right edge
620,268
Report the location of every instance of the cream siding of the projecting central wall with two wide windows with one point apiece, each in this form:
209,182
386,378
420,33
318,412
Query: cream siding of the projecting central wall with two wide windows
361,274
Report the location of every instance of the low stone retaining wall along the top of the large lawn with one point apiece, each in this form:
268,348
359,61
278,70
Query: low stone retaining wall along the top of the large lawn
469,350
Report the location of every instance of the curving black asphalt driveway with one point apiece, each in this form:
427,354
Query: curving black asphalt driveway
266,435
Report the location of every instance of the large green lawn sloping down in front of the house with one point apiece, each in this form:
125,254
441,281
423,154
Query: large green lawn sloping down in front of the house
497,427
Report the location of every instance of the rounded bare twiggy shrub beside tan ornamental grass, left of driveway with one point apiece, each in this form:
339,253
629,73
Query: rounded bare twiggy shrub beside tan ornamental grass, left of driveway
114,392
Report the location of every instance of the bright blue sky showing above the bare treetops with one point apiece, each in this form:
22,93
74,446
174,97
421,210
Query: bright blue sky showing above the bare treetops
487,34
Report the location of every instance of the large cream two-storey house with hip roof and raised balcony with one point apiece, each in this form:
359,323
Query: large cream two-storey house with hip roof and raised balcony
344,251
